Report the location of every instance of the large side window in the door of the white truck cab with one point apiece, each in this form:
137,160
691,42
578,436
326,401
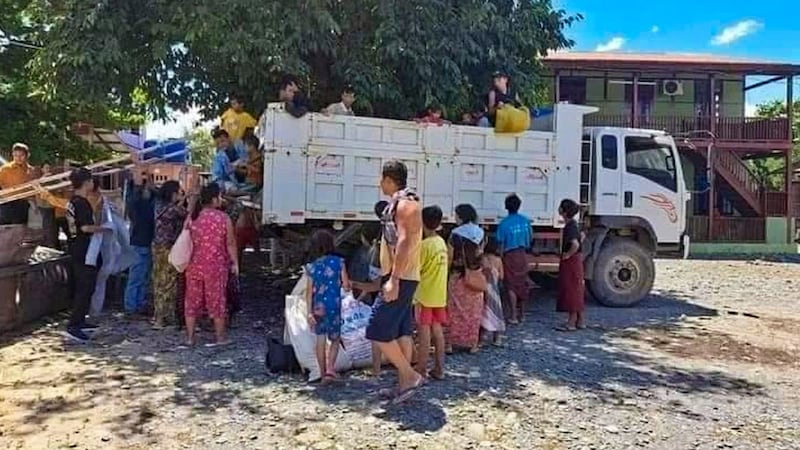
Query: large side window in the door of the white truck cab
652,160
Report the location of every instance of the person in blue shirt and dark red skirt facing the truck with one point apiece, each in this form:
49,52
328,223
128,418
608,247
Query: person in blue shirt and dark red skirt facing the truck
514,236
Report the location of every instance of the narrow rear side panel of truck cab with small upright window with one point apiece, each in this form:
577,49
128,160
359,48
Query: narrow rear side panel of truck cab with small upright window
607,191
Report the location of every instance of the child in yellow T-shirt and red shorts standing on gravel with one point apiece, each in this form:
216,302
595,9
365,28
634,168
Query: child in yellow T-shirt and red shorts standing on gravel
431,295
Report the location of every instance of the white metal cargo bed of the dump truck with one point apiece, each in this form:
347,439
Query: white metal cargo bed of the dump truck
328,167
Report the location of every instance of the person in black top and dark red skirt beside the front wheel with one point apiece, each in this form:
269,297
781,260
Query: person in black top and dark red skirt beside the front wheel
570,270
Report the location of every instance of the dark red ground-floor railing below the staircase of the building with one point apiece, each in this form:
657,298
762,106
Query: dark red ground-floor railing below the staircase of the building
727,229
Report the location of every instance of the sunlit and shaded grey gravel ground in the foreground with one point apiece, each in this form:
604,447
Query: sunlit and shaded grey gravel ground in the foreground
709,361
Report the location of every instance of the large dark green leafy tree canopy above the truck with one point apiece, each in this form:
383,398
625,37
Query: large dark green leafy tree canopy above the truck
156,55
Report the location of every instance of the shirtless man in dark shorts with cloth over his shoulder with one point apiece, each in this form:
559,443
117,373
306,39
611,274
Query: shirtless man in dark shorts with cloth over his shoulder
401,243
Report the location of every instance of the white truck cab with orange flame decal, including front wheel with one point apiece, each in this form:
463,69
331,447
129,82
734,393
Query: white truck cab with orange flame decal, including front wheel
636,207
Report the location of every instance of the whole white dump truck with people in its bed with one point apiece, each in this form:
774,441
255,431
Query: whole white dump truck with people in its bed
324,171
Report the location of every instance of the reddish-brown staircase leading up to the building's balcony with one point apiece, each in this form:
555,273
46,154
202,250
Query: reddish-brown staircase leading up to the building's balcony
736,175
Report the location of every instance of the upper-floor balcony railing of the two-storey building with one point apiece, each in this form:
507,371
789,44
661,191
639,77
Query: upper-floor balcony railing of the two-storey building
725,128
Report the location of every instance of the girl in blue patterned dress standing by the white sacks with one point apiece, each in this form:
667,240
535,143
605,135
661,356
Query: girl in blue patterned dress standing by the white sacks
327,275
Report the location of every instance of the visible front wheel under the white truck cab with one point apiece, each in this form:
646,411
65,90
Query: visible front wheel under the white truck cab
624,273
